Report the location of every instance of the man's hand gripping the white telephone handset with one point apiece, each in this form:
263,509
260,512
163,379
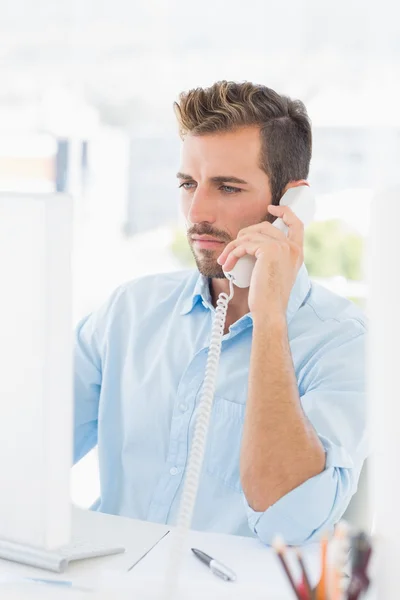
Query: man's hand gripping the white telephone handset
279,258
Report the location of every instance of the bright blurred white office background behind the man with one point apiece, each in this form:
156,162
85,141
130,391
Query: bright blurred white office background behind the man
86,108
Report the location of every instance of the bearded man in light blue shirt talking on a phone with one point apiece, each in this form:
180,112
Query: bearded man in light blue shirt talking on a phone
287,434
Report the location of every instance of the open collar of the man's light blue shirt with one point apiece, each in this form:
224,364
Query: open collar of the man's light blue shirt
197,289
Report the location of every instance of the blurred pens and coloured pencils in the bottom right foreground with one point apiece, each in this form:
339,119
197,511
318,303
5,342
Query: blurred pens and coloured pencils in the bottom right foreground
345,559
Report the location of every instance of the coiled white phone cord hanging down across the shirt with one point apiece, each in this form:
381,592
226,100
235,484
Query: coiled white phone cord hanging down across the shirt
197,450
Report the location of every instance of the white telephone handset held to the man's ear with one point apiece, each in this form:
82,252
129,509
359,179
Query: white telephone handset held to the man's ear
302,201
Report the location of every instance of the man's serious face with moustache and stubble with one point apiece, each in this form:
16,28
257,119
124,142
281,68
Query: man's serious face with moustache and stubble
223,190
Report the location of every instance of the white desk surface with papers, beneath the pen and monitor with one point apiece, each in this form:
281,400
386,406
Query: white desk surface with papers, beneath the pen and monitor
258,571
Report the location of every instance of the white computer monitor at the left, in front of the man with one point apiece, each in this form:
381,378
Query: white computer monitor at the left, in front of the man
36,404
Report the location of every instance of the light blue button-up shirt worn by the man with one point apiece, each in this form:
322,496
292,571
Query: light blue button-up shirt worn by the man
139,369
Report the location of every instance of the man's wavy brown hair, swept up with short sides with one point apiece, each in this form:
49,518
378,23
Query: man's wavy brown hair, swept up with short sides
286,139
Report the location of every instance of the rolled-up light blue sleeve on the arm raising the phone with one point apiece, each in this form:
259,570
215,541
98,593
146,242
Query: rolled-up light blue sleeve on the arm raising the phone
335,403
